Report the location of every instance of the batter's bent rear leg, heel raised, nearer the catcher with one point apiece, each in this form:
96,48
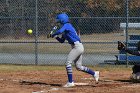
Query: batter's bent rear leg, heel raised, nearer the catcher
80,67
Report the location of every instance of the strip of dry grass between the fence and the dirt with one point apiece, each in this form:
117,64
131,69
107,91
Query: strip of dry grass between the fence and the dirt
17,68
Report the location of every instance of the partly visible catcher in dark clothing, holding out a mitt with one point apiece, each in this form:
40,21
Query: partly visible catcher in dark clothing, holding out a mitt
136,67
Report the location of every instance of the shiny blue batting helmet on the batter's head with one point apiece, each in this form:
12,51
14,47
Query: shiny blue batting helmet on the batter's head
62,18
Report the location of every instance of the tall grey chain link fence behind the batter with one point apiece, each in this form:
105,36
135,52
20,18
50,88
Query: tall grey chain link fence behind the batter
97,22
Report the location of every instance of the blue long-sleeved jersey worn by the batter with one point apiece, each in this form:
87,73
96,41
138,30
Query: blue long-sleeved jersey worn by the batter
69,33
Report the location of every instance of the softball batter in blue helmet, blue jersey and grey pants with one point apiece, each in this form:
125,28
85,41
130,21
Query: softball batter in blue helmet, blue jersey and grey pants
75,55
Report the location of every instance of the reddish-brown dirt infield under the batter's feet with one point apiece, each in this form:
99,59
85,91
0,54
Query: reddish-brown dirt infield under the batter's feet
51,81
